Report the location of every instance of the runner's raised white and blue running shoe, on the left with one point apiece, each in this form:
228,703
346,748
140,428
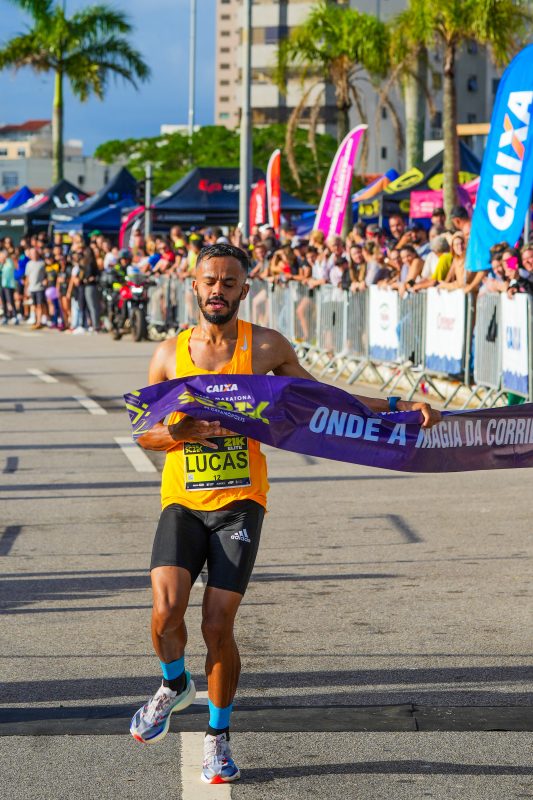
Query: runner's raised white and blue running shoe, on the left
151,722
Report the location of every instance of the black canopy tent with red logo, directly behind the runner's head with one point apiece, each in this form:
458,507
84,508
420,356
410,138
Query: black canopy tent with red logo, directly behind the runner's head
210,196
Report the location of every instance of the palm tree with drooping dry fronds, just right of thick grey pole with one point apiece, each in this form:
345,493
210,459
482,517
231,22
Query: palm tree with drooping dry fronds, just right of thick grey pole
336,45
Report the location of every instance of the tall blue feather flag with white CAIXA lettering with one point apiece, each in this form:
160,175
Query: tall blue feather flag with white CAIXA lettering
507,172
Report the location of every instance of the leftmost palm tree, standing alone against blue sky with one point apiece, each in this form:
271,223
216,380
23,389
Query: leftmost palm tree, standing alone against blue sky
85,48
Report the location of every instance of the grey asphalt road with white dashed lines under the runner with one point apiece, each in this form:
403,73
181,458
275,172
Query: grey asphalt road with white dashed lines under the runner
385,636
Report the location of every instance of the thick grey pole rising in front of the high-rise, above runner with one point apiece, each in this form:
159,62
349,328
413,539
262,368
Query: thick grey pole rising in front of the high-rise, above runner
245,172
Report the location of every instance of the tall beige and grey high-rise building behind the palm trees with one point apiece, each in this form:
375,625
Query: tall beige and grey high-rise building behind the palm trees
477,79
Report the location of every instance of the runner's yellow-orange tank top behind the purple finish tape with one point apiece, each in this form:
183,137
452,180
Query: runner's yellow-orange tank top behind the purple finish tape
198,477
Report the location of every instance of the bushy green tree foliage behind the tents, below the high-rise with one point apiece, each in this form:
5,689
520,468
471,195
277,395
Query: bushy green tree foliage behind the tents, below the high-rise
172,156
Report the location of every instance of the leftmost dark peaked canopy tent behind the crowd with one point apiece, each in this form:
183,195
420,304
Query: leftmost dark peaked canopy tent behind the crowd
34,215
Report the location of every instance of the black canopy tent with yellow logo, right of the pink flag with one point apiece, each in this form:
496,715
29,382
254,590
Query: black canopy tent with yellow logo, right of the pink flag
396,197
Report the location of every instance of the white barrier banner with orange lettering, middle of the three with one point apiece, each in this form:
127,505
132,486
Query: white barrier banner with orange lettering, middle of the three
445,330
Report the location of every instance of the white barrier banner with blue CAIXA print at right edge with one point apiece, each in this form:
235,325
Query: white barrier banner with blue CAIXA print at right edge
514,339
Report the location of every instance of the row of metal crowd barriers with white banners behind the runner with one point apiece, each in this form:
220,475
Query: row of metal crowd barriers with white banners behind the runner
419,337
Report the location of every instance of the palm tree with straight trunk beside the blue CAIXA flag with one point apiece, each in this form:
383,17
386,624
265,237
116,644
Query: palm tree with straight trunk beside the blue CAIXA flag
500,25
